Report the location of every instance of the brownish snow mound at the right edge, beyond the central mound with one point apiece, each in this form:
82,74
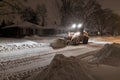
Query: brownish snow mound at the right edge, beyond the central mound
109,54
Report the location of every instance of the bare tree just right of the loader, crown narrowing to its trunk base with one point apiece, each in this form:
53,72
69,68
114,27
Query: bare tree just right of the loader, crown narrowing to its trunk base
100,18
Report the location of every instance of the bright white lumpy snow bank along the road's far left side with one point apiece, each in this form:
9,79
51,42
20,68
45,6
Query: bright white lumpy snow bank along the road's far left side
19,45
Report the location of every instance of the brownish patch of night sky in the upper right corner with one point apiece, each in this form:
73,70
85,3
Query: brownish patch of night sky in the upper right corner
112,4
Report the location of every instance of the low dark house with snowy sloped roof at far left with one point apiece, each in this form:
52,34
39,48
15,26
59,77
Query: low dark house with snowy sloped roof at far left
20,30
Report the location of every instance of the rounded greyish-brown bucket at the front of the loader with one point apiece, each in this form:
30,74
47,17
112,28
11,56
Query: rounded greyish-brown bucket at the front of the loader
59,43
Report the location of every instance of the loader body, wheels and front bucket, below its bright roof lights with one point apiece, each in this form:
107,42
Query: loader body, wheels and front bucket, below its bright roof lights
72,38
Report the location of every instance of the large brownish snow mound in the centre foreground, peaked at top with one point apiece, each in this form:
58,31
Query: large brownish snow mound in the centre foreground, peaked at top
63,68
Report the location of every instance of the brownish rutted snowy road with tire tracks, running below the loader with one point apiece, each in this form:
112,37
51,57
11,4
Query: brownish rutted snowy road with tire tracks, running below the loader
31,63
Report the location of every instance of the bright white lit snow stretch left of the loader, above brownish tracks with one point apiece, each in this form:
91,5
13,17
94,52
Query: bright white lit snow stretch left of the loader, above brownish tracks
11,49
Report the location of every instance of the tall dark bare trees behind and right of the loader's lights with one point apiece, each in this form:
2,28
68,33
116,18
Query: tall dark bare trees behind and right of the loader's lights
91,15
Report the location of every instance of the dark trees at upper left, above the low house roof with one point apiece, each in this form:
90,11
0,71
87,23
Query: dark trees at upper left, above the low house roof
10,9
